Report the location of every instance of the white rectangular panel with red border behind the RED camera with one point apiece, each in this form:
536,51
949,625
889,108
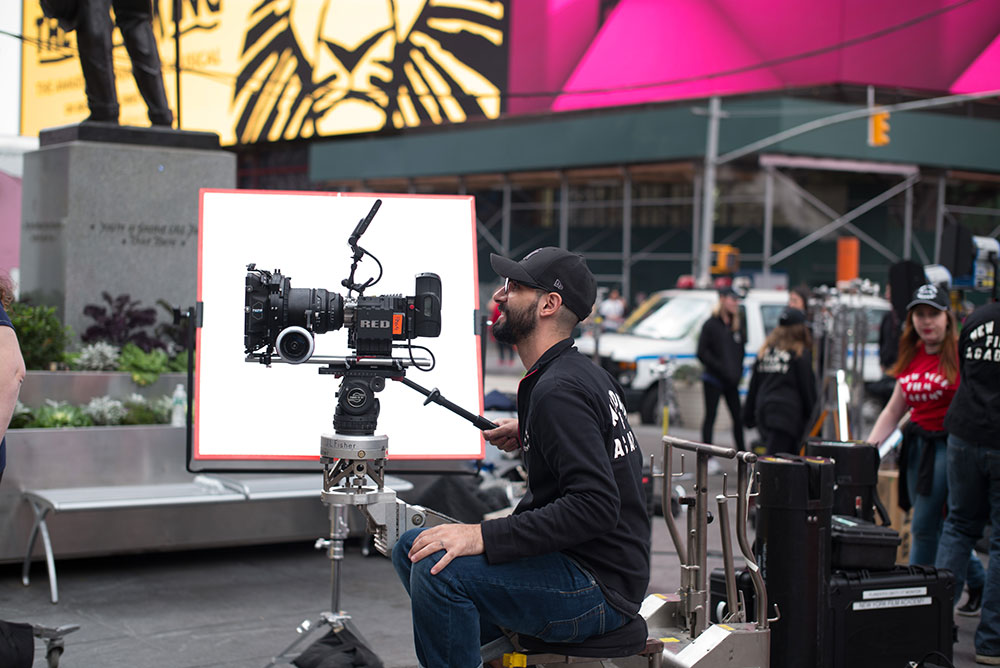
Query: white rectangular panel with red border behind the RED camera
250,416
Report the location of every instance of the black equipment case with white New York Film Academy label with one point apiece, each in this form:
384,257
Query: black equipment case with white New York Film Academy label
889,618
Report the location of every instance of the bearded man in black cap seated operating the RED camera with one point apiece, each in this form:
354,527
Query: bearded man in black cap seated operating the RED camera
572,562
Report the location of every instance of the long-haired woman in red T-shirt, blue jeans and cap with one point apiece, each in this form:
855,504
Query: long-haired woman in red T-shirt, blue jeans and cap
926,373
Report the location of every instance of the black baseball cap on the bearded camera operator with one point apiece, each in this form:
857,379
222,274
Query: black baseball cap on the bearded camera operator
553,270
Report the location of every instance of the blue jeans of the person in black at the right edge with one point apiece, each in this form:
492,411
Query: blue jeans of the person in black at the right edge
974,500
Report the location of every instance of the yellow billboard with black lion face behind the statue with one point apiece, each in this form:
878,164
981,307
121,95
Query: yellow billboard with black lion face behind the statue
270,70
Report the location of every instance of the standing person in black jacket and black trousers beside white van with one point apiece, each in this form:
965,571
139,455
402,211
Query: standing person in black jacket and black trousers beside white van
720,351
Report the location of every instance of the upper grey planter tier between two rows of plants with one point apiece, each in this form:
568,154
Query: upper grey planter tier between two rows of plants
79,387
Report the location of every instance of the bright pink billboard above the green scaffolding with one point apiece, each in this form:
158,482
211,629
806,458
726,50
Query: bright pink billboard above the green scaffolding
658,50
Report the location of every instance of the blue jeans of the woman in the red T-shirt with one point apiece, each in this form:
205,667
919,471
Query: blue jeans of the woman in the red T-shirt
928,511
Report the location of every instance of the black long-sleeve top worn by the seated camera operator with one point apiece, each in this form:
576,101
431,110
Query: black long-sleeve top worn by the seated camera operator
585,496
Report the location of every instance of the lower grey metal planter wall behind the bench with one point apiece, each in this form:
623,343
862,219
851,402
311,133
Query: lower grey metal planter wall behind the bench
95,456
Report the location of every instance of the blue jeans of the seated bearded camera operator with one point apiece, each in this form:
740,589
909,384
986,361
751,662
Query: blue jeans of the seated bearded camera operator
465,605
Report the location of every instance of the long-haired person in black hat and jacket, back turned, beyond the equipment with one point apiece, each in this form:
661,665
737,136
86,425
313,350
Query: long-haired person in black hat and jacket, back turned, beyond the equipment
783,387
